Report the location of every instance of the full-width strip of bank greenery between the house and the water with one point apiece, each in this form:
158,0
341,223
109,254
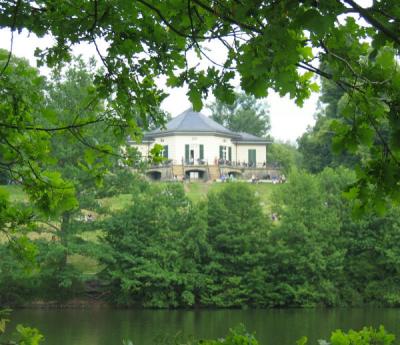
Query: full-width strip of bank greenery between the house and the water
159,249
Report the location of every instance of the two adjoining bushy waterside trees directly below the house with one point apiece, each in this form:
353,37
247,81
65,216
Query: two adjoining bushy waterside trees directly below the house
165,252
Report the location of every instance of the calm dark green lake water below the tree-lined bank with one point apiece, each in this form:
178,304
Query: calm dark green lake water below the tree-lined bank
272,327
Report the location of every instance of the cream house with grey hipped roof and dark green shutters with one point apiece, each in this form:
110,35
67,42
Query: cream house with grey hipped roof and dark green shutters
195,146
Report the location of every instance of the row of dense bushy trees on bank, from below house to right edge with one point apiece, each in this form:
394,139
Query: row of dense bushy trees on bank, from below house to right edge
162,251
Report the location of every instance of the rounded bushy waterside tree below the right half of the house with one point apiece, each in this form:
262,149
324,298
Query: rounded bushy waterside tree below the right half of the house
237,229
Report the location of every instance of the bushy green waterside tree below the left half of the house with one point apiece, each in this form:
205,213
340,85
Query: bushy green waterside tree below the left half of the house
142,254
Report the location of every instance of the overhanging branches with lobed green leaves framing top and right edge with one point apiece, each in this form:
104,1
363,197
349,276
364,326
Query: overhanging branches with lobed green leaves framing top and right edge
268,45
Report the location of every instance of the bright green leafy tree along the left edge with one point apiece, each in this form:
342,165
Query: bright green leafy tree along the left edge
25,157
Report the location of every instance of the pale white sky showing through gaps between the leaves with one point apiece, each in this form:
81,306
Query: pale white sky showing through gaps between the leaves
288,121
